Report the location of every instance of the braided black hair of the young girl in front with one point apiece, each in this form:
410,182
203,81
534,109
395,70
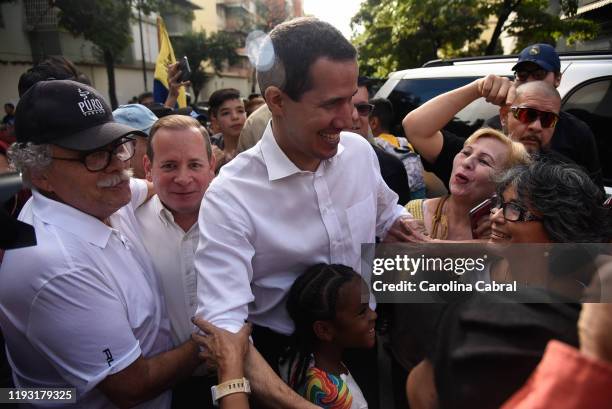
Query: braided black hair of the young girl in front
313,297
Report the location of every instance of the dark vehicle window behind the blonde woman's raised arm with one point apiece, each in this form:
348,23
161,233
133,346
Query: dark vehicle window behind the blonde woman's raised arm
411,93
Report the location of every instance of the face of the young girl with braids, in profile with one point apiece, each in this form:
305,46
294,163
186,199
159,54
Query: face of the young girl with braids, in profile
354,323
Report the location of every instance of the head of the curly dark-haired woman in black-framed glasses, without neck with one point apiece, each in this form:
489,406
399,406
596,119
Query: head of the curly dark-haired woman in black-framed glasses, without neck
548,202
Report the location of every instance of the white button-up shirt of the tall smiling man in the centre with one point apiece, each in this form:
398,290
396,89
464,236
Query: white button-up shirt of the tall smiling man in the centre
263,222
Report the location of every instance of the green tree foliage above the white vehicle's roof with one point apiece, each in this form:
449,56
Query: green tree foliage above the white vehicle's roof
400,34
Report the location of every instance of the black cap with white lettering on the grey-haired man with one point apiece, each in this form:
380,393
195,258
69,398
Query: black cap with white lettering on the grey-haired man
67,114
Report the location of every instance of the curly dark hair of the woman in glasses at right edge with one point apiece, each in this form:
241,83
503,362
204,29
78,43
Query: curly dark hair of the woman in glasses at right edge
570,203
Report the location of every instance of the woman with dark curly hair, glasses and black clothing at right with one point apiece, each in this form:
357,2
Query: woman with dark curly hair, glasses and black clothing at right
477,337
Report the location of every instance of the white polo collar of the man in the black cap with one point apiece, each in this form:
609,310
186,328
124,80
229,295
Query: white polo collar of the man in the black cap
71,219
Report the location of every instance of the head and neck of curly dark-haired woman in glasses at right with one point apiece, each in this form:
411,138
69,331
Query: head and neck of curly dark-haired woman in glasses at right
541,204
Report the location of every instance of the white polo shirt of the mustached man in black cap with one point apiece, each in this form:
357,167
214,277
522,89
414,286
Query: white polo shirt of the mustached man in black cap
82,304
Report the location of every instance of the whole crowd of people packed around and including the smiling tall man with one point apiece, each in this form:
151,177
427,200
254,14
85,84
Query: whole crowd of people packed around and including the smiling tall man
180,262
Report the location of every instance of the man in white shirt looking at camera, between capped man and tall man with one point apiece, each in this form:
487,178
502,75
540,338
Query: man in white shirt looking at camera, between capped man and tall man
180,164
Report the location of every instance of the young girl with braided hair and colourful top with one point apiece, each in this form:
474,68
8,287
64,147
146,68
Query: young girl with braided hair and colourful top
329,315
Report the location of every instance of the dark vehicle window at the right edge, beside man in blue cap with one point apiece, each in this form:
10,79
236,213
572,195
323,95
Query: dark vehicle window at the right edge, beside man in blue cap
592,102
